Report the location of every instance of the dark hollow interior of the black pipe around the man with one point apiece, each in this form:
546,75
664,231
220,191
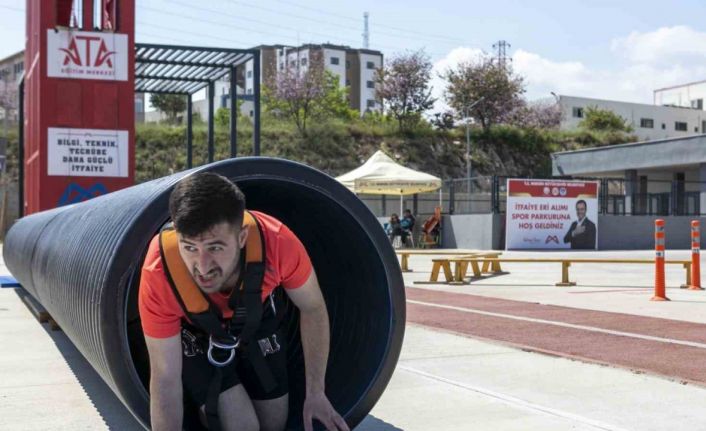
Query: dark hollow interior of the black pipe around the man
354,281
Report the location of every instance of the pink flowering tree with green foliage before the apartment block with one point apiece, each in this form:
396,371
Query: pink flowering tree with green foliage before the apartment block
306,94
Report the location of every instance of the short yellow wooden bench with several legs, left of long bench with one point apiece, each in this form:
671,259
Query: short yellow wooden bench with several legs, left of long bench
461,264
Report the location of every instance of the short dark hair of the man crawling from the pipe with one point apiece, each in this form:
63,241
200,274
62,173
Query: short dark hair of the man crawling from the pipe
201,201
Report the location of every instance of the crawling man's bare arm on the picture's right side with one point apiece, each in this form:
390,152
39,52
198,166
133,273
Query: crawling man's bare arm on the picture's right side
315,342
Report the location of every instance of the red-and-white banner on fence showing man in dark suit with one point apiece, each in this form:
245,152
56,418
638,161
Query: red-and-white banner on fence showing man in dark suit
551,214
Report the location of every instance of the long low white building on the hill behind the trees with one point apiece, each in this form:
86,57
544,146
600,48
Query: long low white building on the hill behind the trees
649,122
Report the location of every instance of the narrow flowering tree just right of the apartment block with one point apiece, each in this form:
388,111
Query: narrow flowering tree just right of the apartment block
403,87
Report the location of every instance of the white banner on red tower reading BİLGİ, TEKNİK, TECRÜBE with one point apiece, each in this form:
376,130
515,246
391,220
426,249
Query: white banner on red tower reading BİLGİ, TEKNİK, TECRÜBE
88,152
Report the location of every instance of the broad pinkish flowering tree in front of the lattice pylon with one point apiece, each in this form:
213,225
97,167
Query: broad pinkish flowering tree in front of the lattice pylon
496,84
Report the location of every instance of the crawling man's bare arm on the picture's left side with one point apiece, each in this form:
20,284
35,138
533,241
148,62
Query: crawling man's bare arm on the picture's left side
166,402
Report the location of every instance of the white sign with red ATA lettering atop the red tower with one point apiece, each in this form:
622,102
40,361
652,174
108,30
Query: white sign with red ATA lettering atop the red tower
87,55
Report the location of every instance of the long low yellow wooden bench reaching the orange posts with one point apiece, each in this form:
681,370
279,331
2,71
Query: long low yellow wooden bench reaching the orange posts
459,274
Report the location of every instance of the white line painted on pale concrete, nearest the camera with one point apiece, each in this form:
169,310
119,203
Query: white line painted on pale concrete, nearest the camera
516,402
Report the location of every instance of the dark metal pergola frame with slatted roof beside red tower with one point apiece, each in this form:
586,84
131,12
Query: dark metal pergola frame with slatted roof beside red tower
178,69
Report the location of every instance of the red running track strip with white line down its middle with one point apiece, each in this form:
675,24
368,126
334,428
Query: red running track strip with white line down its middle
663,357
